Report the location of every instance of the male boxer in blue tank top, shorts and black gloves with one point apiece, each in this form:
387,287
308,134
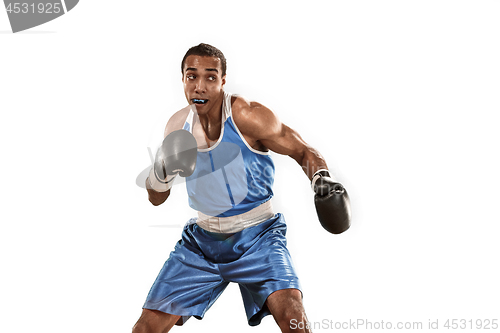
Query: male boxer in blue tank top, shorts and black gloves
236,237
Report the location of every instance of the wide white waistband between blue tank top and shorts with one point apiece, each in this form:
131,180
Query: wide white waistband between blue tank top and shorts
236,223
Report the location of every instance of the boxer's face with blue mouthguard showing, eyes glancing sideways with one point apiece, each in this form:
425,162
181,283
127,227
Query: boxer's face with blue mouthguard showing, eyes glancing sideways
203,83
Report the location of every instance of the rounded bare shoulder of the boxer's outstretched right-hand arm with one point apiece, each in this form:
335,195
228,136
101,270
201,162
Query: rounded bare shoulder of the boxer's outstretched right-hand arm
254,119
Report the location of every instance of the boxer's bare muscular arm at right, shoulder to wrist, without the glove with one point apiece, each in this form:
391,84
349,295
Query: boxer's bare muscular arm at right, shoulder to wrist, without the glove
261,125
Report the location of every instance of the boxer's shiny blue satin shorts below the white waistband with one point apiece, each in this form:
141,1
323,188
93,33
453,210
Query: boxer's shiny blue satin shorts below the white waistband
203,263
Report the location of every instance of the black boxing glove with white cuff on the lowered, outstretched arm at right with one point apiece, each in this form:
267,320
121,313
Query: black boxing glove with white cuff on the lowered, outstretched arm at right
332,203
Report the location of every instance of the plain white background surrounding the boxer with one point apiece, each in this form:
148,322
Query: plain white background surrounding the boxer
400,97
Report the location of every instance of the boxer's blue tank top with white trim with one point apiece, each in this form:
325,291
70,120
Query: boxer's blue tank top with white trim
230,177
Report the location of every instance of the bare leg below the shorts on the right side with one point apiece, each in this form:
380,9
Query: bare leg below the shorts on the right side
287,309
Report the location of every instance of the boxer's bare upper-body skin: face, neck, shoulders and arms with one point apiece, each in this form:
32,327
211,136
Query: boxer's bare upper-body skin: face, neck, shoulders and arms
259,126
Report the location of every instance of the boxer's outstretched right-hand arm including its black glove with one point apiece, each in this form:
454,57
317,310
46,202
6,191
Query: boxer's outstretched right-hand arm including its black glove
331,198
